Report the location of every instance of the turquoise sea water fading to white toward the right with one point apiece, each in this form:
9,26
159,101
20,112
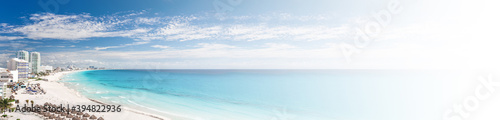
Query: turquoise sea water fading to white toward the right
274,94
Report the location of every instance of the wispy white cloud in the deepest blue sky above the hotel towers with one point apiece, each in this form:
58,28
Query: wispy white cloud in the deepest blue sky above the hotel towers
74,27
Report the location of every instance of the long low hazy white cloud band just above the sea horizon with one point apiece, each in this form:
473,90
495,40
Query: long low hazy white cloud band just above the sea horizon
204,55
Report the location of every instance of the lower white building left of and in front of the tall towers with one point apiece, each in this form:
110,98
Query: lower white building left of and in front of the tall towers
21,66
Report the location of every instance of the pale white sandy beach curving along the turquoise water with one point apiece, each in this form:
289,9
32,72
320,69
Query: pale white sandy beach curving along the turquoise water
57,93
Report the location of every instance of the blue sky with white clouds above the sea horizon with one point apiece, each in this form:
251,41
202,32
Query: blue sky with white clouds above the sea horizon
253,34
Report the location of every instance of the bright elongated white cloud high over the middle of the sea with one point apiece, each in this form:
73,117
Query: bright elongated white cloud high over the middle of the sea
185,31
